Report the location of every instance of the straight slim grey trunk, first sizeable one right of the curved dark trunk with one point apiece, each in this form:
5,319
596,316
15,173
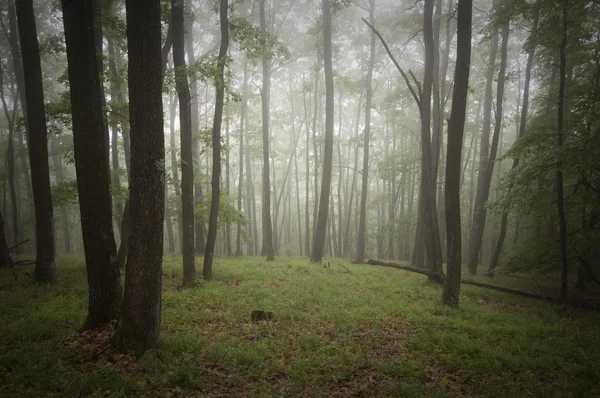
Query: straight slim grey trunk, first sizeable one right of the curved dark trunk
267,246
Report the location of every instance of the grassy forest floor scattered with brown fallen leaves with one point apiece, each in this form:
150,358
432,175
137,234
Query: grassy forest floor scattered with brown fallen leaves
344,331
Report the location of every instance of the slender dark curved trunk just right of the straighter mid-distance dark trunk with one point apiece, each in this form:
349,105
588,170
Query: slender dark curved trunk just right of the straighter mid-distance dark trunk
216,143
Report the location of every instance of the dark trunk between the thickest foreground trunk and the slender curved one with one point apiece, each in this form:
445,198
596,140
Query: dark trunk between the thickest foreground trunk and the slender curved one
187,162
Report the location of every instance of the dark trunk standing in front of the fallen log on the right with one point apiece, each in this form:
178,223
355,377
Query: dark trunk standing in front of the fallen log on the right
456,127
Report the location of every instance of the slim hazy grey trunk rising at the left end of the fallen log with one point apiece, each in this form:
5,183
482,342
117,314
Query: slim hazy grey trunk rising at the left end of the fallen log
362,239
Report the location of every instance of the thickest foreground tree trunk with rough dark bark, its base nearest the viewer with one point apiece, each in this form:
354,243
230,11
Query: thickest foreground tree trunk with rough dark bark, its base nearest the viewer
139,327
